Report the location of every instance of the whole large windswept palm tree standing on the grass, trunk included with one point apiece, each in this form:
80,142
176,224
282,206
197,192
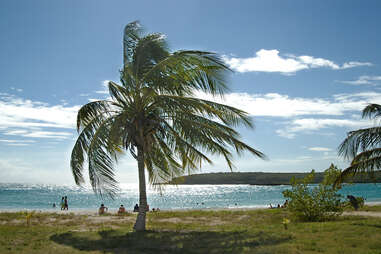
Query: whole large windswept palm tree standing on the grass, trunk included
154,115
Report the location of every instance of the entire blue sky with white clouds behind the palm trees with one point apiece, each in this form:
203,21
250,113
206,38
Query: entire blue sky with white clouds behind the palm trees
303,70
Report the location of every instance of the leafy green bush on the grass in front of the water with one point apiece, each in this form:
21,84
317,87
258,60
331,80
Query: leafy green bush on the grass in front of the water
318,203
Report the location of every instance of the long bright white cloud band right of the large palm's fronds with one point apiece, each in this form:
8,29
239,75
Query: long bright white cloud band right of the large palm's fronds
278,105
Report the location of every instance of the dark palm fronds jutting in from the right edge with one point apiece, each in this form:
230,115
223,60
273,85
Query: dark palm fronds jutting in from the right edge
363,147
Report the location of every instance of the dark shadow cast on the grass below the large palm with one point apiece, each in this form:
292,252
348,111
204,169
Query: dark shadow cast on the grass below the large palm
168,242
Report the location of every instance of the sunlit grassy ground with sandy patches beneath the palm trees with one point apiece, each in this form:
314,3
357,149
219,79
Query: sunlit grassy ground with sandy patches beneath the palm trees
251,231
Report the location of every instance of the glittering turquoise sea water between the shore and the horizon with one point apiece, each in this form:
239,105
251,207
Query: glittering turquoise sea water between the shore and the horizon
41,197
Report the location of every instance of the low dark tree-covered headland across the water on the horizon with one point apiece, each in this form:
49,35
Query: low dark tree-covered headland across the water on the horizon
259,178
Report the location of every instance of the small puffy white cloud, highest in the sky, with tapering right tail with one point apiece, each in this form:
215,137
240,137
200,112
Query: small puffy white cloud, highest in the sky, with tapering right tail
270,61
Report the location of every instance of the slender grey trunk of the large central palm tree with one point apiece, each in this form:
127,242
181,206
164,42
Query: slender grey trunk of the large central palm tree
140,224
